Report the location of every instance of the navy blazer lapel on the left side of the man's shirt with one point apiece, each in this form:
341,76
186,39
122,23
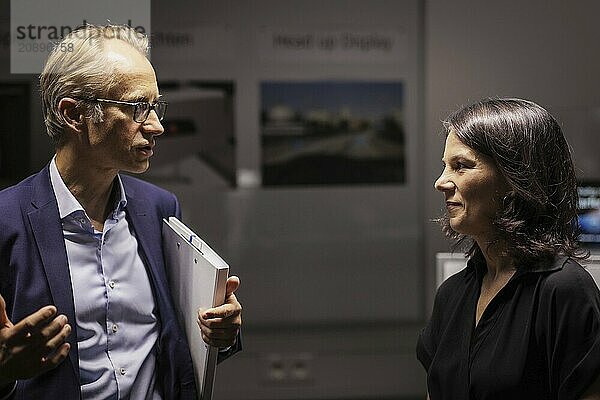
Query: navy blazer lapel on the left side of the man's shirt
47,231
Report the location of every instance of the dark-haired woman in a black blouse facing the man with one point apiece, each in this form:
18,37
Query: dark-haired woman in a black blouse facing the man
522,320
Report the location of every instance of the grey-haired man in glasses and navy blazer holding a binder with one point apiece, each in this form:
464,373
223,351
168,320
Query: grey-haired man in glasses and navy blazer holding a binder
81,262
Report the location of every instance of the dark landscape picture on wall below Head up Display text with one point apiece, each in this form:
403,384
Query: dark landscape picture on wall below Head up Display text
332,132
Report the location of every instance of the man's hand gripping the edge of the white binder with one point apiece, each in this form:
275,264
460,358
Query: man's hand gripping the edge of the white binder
220,325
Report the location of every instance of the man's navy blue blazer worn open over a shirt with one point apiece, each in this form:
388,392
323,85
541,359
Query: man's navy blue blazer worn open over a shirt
34,273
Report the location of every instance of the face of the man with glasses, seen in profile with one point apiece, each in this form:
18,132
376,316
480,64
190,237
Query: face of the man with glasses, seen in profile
118,143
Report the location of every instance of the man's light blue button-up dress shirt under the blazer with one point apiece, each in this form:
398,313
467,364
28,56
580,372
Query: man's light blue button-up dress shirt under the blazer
117,324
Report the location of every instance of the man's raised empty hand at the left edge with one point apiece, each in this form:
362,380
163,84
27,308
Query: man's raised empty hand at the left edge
34,345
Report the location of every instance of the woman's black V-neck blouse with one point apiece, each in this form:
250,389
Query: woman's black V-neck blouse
539,338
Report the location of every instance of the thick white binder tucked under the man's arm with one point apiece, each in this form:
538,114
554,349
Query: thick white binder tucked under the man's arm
197,278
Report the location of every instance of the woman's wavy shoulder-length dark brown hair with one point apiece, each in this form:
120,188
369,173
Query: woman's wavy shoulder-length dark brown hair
538,216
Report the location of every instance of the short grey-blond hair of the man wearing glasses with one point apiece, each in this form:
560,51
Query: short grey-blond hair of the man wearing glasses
78,68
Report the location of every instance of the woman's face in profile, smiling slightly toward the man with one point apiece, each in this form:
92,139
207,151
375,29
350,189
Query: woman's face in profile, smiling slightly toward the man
473,188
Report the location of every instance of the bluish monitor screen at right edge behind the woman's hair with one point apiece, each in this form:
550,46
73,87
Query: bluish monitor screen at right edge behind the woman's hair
589,212
